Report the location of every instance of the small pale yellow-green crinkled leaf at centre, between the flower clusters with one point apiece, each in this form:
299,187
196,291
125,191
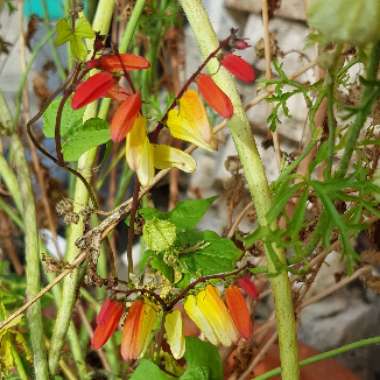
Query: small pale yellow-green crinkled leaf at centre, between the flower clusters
159,235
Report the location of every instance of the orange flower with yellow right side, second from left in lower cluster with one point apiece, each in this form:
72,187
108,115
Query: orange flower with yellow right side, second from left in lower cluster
137,331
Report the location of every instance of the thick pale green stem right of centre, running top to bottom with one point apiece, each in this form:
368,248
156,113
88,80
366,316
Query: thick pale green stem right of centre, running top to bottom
257,183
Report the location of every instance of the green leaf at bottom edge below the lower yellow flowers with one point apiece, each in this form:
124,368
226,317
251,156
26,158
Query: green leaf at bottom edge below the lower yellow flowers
201,354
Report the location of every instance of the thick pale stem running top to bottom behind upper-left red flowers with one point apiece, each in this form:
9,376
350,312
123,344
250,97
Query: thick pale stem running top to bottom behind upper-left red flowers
101,24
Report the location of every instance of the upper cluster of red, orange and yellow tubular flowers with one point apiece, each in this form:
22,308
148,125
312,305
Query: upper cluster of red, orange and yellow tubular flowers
186,119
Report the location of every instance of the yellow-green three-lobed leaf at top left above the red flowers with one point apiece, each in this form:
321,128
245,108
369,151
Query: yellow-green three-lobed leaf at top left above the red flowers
76,36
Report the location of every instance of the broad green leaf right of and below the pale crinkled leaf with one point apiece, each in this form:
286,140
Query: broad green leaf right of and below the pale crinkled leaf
215,254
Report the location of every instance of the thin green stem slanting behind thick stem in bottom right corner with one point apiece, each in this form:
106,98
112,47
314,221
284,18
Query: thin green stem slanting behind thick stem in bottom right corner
324,355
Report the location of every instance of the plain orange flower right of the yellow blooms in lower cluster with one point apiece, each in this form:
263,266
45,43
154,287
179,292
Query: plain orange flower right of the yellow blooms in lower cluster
239,311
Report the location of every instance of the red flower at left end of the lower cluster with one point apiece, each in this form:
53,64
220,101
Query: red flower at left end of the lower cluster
106,322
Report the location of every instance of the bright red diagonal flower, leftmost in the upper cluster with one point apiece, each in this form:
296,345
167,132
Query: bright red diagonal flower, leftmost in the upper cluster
91,89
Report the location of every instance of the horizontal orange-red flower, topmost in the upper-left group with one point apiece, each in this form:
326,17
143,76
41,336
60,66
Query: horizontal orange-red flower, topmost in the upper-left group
119,62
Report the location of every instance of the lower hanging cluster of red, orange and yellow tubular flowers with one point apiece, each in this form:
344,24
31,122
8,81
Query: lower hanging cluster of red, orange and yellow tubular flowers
221,322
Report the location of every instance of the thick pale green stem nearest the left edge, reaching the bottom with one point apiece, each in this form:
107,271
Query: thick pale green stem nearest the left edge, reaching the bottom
32,257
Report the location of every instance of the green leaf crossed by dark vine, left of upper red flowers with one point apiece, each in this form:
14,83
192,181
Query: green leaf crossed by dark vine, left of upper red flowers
70,118
